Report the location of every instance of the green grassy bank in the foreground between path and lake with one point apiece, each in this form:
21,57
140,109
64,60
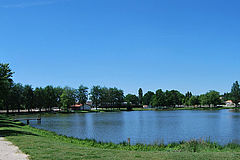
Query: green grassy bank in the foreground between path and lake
41,144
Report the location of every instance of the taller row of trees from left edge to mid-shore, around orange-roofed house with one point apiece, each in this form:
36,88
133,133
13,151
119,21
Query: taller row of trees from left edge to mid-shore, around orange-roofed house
15,96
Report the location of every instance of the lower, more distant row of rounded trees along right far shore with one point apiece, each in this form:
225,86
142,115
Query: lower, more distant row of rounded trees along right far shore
174,98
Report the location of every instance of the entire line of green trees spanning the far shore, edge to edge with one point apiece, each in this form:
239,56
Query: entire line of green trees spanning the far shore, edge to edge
15,96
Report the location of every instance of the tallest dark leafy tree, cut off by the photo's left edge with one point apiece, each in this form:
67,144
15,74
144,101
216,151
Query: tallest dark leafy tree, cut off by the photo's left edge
5,84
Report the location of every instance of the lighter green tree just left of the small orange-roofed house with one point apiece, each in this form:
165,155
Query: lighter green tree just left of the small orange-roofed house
68,98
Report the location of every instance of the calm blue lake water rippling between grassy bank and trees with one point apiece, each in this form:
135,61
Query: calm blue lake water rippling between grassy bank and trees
147,127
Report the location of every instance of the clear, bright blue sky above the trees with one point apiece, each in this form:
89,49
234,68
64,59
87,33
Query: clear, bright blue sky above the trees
188,45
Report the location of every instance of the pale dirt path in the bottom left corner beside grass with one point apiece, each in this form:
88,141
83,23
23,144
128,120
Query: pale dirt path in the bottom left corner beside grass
10,152
